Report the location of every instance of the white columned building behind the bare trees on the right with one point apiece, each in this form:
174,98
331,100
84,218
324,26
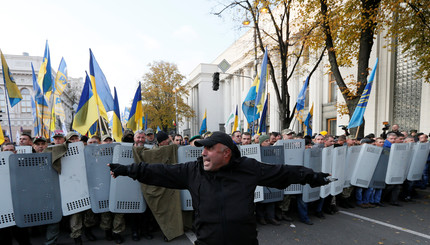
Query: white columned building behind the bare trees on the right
396,97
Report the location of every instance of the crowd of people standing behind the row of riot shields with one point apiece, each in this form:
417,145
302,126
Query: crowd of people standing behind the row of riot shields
292,206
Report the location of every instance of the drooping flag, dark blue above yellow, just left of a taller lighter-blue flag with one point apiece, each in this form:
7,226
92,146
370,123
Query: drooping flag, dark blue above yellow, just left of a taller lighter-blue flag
86,114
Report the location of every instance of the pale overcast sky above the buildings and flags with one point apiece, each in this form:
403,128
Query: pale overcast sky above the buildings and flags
125,36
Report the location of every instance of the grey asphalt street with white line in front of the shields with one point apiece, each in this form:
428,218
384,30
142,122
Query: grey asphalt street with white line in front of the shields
408,224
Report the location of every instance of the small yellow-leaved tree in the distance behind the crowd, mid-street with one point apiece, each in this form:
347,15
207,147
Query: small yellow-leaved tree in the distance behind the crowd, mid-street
158,97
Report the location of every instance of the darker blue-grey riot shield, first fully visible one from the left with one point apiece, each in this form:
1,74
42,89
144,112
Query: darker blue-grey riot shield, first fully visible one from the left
35,189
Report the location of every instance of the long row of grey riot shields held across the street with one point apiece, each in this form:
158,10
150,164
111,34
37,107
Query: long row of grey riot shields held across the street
33,193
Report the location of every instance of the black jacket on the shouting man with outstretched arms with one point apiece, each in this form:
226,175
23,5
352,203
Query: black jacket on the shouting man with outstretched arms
223,201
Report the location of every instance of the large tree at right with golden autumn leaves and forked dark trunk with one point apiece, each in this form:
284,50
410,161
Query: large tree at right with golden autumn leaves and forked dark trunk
349,28
